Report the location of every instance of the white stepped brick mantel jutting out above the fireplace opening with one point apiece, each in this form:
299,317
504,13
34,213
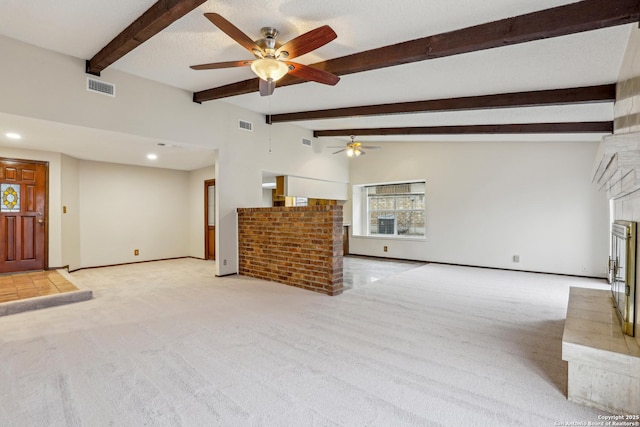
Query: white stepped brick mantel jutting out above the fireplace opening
617,166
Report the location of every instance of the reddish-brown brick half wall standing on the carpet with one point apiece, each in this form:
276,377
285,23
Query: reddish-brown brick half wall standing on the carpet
297,246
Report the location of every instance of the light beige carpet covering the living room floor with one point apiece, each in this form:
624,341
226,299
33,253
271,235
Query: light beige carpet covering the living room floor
168,344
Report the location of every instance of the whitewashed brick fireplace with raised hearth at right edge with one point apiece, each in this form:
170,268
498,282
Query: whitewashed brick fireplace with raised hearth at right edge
603,362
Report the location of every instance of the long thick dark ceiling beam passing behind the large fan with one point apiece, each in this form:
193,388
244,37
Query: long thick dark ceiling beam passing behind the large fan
586,15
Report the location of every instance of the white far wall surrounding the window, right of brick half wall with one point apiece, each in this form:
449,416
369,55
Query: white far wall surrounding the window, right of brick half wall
488,201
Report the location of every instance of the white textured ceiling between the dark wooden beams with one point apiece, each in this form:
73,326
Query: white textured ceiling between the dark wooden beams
80,28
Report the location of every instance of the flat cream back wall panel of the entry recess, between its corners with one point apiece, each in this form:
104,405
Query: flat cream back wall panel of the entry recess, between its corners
129,207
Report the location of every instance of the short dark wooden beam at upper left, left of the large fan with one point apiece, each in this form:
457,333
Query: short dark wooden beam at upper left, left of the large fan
158,17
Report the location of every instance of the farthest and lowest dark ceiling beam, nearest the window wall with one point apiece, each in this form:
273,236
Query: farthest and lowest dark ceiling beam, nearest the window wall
565,127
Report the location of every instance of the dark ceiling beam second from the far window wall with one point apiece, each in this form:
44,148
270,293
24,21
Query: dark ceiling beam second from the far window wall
578,95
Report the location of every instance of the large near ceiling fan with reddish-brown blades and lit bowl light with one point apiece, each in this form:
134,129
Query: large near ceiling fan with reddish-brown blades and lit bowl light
271,61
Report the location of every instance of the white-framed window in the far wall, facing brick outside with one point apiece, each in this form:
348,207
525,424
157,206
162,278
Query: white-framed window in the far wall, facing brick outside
390,210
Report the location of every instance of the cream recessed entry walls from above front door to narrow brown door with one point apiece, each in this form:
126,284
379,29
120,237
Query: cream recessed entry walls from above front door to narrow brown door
103,239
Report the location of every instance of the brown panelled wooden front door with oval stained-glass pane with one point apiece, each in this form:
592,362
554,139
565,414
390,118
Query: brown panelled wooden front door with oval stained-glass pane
23,215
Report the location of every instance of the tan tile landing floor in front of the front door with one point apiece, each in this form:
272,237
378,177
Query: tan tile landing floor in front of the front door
20,286
